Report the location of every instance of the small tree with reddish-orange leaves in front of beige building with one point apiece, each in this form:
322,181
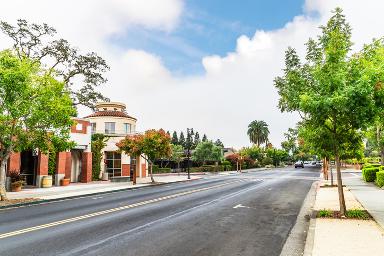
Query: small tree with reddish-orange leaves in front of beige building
153,144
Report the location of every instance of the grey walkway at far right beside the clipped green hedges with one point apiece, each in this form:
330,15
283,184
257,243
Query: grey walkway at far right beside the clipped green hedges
369,195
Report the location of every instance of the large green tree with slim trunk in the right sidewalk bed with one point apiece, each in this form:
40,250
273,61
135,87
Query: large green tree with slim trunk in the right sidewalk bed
335,91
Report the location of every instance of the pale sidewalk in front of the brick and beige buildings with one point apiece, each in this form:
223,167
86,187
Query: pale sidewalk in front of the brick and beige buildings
80,189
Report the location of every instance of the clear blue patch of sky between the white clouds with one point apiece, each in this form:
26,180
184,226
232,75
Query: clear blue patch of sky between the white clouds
209,27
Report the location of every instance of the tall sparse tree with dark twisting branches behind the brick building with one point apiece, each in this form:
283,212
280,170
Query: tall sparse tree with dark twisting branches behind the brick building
64,62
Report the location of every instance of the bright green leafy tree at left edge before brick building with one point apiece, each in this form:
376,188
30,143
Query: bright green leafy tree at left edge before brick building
35,109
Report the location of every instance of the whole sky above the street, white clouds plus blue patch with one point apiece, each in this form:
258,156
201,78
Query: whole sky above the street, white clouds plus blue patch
206,64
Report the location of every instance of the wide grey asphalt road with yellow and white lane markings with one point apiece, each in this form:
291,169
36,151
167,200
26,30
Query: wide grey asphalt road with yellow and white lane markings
247,214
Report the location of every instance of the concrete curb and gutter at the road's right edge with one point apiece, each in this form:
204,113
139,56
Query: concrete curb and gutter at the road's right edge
300,239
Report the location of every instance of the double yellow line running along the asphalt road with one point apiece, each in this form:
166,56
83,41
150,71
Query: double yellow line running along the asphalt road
95,214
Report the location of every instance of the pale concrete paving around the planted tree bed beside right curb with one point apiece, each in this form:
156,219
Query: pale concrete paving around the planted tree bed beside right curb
339,237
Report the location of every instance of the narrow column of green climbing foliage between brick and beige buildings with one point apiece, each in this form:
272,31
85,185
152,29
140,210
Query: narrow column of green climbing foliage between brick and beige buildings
99,141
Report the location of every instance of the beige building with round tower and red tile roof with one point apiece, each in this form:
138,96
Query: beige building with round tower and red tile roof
112,120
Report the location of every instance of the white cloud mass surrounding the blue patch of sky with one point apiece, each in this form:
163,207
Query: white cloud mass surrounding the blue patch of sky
236,88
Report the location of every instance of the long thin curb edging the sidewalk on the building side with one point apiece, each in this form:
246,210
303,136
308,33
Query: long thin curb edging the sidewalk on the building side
42,201
